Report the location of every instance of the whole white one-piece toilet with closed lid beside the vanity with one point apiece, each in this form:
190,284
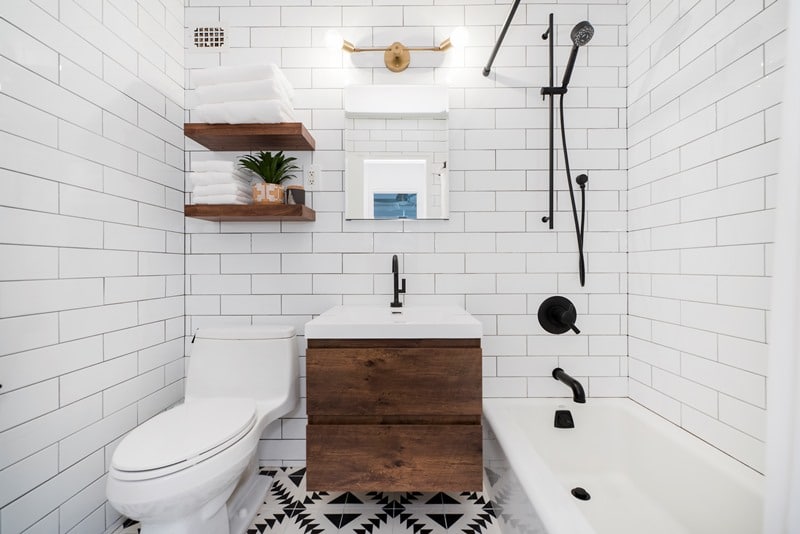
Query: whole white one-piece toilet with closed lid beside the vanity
193,468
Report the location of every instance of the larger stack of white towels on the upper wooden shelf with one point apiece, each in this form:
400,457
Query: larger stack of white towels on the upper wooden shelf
242,95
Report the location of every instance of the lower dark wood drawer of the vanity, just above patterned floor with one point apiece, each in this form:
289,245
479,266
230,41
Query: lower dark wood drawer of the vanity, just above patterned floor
394,457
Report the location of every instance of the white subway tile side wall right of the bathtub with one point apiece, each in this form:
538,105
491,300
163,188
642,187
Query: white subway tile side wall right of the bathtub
700,98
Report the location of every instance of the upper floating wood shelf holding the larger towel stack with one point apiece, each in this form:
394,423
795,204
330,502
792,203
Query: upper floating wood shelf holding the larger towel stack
237,137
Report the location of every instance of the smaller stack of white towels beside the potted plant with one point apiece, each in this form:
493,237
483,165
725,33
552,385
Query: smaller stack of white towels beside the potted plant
219,182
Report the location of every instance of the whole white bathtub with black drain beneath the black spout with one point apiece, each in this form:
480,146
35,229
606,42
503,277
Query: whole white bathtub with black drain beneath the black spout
644,474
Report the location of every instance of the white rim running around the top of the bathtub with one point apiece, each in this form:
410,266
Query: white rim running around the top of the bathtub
558,511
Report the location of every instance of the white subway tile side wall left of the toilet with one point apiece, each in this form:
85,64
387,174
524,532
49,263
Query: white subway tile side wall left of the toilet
91,247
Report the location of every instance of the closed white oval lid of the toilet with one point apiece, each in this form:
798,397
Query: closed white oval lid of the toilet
183,432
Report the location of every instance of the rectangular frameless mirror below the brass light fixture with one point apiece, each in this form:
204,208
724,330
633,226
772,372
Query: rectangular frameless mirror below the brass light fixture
396,161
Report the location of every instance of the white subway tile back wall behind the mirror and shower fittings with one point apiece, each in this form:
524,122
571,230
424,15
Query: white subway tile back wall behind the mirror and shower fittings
493,256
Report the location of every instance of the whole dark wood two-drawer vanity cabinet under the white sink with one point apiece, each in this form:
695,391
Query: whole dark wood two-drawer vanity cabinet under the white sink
394,415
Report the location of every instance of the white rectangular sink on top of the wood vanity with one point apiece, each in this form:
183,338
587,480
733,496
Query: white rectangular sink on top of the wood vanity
383,322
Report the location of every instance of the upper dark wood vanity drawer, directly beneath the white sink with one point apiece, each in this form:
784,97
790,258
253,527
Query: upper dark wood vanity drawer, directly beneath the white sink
394,381
